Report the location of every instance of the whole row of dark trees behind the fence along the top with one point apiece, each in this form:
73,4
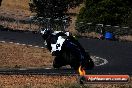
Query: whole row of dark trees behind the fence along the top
107,12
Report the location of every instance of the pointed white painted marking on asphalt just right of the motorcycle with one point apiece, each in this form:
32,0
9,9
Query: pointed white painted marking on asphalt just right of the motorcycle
96,59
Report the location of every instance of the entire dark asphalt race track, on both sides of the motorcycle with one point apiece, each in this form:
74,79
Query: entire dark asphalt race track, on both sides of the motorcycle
118,54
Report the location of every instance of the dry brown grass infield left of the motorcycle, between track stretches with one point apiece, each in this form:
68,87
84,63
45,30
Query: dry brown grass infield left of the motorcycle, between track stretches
12,55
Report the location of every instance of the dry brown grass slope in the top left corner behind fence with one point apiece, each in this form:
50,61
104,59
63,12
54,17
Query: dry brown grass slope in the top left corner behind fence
15,8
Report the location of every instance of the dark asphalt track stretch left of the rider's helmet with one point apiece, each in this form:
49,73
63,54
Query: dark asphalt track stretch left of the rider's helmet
28,38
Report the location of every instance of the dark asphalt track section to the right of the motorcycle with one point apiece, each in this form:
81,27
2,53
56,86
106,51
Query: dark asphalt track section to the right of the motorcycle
118,55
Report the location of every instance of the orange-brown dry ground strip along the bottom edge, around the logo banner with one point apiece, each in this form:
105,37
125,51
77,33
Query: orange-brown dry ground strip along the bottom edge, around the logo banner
42,81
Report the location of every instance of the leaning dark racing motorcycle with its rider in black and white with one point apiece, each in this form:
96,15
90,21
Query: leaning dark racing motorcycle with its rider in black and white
66,49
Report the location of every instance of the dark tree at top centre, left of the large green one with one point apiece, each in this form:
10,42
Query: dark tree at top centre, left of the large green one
52,8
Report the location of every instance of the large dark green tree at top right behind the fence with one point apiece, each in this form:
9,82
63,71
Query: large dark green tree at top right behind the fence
112,12
